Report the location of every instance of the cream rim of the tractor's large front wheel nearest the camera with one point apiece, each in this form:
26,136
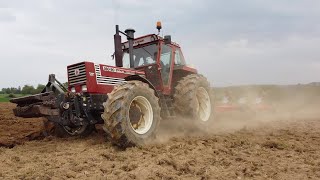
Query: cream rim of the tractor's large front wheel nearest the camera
140,115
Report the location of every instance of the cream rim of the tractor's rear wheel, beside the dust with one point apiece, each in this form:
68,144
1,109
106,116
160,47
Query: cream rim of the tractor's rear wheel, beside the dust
203,104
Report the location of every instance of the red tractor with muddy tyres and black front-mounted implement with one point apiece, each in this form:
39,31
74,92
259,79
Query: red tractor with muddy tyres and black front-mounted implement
149,82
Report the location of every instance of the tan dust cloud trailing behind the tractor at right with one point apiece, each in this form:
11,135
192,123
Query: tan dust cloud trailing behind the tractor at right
284,105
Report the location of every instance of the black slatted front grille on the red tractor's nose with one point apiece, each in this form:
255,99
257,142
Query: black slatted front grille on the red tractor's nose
77,74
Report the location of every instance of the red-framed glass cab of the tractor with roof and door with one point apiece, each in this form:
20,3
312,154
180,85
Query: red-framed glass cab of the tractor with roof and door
160,59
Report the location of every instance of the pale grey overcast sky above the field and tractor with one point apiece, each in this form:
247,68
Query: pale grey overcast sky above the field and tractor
232,42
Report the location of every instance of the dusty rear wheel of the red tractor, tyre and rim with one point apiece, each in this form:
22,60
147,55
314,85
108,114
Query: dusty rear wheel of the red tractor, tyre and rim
193,98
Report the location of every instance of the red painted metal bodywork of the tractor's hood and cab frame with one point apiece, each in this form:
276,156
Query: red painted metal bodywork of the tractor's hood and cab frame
101,79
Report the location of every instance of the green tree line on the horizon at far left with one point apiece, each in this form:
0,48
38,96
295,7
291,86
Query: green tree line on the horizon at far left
26,89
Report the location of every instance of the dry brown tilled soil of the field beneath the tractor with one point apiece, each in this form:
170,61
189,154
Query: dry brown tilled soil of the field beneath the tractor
286,147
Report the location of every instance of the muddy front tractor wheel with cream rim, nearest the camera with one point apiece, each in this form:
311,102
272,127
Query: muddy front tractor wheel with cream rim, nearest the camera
132,114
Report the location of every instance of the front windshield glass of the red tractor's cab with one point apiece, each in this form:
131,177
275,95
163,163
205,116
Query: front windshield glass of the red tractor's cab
142,56
